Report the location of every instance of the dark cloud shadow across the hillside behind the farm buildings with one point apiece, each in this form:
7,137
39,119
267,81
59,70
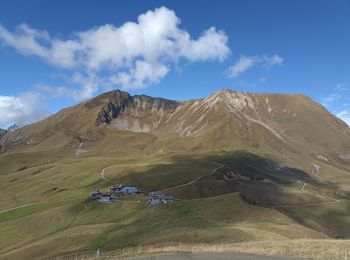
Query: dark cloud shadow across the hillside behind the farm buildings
259,178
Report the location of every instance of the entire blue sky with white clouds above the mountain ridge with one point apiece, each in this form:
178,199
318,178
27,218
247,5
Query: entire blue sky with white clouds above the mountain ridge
54,54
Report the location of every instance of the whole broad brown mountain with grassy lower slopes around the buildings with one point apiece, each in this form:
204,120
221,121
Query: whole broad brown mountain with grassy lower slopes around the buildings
281,161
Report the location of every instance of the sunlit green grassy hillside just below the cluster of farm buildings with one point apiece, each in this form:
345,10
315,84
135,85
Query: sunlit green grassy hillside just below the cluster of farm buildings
85,225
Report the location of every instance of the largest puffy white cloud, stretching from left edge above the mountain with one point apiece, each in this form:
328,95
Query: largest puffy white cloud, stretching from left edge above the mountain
133,55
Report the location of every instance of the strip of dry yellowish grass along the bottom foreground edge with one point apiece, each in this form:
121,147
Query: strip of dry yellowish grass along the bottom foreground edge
305,248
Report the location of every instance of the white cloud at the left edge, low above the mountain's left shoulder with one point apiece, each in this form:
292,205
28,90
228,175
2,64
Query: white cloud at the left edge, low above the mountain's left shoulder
23,109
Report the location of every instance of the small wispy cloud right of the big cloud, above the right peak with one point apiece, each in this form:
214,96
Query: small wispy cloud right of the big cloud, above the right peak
245,62
